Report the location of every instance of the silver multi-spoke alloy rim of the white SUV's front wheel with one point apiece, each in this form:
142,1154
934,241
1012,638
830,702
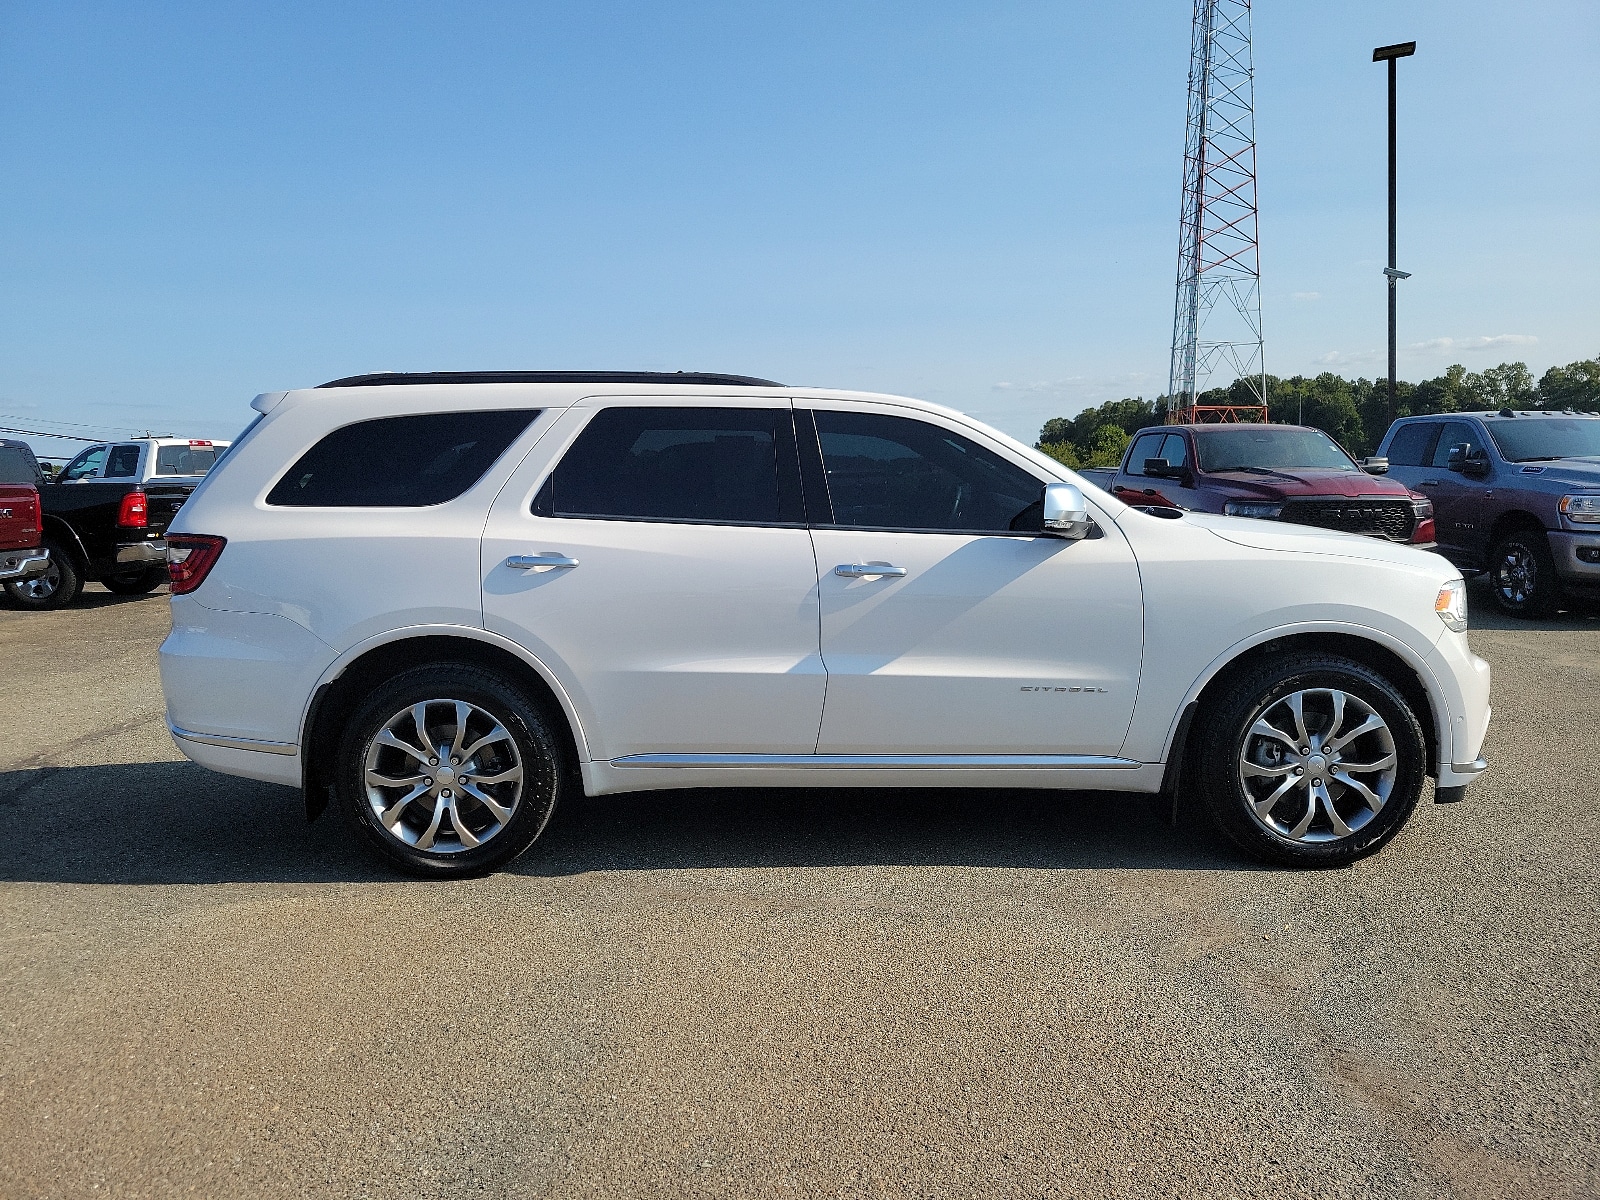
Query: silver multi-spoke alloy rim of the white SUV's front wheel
1318,766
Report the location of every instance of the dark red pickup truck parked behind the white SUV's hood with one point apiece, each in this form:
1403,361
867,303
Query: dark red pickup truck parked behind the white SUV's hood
1273,473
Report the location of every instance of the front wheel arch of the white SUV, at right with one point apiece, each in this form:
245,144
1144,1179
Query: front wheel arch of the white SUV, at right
1388,657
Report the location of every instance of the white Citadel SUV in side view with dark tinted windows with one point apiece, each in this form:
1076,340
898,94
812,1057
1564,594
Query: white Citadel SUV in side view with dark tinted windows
444,601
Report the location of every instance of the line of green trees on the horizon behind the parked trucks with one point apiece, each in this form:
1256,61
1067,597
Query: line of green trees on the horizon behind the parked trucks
1353,412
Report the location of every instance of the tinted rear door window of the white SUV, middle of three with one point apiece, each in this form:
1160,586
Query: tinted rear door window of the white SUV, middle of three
722,466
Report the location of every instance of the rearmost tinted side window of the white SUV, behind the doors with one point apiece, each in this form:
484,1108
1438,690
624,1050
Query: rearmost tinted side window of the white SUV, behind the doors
401,462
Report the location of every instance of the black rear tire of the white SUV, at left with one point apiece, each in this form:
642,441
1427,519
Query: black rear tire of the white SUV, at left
529,745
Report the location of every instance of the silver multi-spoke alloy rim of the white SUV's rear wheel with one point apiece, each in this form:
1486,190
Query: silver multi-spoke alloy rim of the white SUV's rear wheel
444,777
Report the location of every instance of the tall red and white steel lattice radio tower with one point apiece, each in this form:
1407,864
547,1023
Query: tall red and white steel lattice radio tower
1217,322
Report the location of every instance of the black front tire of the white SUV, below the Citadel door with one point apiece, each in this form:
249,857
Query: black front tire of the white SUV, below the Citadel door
1266,692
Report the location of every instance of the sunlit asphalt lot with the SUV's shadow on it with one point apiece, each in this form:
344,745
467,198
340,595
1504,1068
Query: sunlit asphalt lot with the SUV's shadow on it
783,994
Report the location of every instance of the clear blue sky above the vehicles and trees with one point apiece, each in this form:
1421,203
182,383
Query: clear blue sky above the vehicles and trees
969,202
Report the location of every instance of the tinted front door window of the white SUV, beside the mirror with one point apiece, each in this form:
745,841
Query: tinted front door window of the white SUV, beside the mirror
892,473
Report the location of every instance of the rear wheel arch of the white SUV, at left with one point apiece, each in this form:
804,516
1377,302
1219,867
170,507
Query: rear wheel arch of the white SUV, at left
375,660
